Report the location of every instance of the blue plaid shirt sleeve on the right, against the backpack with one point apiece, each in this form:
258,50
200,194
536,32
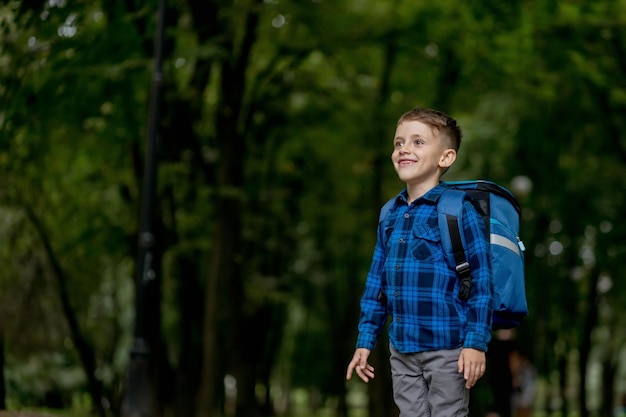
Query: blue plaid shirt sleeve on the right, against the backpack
480,303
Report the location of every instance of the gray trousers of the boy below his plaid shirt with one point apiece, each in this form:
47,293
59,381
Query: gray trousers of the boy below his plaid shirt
428,384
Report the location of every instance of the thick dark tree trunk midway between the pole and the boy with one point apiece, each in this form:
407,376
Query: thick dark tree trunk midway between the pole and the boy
224,292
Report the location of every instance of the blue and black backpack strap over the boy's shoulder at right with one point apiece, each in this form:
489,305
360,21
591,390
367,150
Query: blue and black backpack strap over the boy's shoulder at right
449,211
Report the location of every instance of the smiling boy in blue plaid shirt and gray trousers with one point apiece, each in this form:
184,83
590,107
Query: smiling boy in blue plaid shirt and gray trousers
437,341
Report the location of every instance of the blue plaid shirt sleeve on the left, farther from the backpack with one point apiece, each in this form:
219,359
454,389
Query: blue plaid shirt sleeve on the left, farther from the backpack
373,307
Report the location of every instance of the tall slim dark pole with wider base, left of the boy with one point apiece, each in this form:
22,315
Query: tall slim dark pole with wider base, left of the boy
139,398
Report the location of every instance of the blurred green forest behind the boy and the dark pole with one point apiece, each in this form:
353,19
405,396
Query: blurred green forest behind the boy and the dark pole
275,130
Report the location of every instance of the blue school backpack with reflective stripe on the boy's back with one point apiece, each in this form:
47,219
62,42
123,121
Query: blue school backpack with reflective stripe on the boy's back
501,213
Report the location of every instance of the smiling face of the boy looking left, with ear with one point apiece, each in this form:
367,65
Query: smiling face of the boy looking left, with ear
419,155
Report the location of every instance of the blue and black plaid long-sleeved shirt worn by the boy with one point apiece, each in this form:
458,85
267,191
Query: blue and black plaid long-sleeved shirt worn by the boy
413,281
